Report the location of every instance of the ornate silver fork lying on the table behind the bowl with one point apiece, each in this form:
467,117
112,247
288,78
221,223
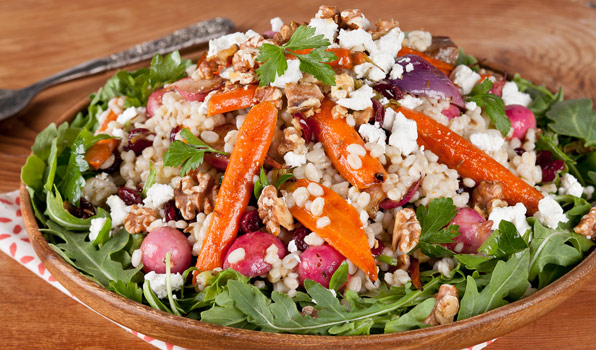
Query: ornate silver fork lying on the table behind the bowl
13,101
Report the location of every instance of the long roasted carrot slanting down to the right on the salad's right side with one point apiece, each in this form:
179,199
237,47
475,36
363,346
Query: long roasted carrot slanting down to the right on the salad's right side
469,161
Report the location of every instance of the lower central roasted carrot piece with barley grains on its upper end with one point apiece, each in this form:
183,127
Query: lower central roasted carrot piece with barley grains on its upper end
344,232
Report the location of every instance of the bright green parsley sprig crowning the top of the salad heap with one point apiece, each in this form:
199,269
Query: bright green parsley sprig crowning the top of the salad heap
312,62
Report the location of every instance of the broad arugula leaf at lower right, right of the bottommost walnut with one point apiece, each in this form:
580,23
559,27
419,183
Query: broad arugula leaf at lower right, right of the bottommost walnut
509,279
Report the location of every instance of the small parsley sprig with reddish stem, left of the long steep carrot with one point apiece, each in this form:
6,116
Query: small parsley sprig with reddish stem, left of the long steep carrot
189,154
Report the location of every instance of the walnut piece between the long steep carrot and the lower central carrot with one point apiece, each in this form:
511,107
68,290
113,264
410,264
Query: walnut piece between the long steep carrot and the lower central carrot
274,212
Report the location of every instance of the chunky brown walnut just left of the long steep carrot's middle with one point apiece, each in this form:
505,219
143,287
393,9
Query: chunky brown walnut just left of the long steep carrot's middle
195,193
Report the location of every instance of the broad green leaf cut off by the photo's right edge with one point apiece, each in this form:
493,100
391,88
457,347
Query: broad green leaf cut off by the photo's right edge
574,118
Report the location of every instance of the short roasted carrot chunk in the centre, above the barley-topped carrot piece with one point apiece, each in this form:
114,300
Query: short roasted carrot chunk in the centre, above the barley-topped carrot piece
336,135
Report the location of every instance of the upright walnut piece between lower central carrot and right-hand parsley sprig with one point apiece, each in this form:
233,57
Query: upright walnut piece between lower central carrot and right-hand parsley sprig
406,234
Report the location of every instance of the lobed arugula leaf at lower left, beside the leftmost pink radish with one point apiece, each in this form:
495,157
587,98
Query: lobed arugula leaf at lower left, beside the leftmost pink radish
95,262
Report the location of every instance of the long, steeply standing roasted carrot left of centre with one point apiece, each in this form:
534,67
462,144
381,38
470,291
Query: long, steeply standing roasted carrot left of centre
254,138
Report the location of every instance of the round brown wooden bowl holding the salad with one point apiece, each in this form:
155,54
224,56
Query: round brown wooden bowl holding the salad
200,335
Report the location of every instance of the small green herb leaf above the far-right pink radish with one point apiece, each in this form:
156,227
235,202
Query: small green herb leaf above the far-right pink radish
492,104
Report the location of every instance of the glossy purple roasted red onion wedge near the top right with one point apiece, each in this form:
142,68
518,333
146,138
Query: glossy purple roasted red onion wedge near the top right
422,78
